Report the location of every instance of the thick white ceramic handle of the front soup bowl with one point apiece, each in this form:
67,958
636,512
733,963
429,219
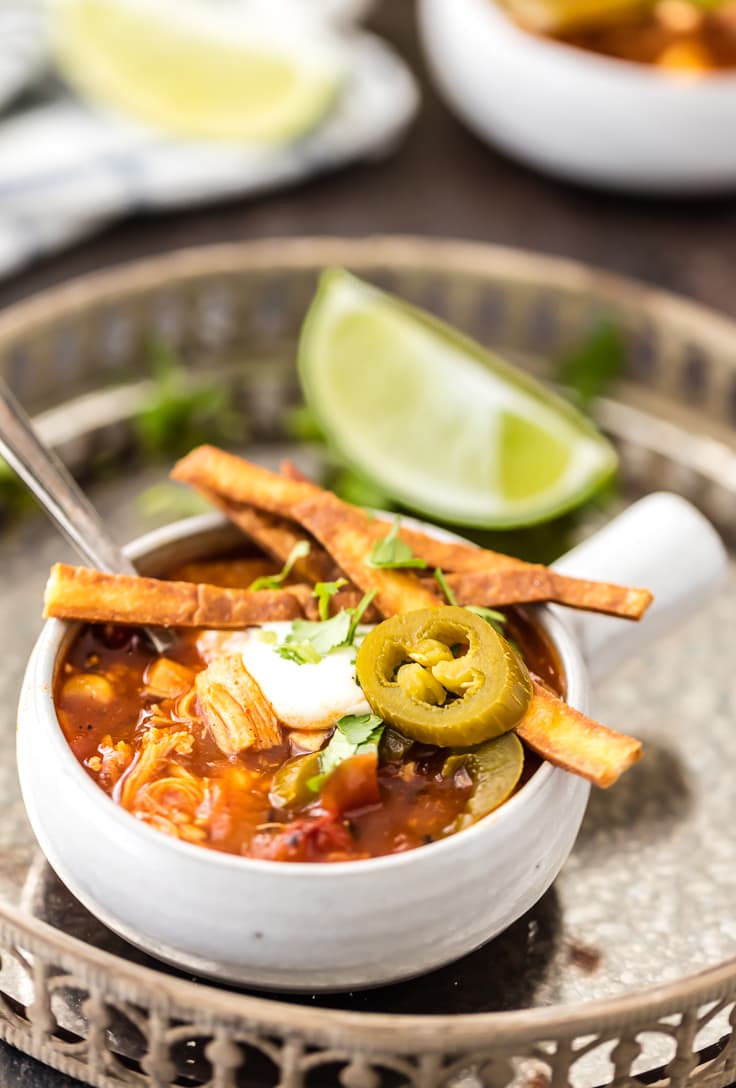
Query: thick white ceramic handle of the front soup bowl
664,543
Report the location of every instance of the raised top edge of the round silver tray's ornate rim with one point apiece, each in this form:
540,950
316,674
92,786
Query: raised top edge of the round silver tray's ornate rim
443,1033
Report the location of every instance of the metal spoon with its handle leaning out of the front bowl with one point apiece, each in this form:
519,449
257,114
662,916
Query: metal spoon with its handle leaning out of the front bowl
57,491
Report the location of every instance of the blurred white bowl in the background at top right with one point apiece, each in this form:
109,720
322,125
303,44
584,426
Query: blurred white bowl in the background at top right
593,119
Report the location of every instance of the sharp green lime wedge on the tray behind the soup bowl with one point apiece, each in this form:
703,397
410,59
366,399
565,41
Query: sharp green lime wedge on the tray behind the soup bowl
438,423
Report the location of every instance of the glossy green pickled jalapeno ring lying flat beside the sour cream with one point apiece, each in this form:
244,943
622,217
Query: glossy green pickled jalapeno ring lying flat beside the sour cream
493,707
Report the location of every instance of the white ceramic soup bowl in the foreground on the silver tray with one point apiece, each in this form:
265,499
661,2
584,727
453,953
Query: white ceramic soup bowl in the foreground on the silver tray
299,926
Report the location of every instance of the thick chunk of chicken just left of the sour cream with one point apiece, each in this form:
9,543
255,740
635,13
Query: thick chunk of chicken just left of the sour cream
236,710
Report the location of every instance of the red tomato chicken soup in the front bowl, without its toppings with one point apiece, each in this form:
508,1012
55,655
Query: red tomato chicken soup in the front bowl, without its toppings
137,725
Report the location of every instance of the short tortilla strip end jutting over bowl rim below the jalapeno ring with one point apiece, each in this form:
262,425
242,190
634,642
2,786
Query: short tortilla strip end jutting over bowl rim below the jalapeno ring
571,740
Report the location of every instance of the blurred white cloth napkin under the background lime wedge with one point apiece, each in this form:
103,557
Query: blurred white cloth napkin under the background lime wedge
66,169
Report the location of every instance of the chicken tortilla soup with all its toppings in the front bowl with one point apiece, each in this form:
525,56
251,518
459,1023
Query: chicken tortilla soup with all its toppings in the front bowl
366,699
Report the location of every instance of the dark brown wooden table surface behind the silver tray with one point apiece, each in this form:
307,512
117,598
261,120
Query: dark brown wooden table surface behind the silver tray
441,182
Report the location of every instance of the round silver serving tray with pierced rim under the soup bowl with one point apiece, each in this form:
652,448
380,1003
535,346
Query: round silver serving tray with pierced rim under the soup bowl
599,983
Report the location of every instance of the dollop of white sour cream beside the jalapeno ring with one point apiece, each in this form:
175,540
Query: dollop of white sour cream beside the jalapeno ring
304,697
